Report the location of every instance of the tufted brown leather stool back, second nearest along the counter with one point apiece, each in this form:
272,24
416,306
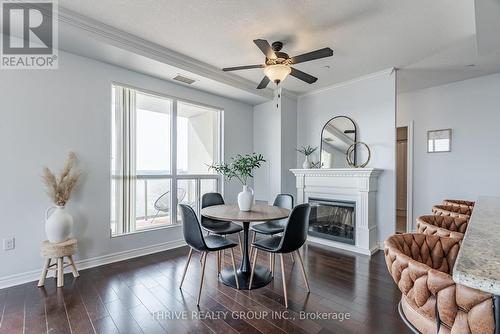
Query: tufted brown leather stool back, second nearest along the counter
443,226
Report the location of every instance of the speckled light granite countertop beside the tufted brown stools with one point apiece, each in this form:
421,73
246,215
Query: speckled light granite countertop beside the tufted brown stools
478,262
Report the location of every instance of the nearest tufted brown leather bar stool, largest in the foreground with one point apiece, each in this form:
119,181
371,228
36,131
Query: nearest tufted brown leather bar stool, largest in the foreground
421,266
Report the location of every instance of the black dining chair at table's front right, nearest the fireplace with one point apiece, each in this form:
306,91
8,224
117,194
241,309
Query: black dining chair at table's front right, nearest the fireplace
293,238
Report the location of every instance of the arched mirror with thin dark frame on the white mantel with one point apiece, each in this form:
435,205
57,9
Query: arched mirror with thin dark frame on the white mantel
336,136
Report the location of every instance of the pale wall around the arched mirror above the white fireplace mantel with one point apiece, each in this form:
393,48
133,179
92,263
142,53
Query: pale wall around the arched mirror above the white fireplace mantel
371,103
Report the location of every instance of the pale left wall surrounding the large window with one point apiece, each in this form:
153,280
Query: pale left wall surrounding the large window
43,115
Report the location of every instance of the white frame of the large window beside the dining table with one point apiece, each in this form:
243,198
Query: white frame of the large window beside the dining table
173,176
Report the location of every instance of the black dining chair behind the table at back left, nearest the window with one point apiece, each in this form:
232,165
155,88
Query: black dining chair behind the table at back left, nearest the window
218,227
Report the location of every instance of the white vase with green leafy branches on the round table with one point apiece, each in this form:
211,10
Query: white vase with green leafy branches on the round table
241,167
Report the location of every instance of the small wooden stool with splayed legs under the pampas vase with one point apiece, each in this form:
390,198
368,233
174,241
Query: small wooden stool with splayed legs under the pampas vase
57,252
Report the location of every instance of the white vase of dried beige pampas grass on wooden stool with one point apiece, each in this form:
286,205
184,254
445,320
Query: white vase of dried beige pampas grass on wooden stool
58,222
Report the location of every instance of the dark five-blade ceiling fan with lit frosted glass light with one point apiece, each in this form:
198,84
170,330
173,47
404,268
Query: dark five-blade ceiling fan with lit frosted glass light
278,64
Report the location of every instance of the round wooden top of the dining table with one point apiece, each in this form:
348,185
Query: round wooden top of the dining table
259,213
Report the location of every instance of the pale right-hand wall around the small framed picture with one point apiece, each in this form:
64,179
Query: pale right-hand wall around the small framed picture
471,109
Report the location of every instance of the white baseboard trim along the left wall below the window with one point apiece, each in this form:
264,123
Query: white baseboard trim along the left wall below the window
33,275
